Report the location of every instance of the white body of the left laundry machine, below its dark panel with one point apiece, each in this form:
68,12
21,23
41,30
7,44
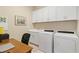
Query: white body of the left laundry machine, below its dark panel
46,43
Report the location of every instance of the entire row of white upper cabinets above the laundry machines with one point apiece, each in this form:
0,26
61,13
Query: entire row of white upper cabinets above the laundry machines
55,13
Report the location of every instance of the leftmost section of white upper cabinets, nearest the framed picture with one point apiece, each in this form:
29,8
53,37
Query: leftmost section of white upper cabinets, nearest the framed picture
40,15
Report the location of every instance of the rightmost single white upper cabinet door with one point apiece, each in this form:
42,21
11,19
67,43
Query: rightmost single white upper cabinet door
70,13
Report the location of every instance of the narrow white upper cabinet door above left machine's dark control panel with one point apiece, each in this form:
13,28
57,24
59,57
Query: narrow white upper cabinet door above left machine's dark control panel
52,13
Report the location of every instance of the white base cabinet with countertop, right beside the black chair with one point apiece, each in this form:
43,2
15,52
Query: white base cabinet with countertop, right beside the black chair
34,37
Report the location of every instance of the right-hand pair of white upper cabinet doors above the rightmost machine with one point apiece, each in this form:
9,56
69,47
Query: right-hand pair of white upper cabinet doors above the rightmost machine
66,13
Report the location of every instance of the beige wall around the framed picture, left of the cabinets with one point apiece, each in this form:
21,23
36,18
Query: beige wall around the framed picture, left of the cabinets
10,12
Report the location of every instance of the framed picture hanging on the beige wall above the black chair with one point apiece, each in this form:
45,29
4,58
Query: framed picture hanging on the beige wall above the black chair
20,20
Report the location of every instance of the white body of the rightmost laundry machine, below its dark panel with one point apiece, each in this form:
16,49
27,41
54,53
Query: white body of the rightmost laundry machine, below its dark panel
65,43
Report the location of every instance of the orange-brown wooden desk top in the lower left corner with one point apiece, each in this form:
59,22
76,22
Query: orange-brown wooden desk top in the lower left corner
19,47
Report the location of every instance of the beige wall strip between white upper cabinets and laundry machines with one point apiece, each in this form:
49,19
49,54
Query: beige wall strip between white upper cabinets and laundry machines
61,25
